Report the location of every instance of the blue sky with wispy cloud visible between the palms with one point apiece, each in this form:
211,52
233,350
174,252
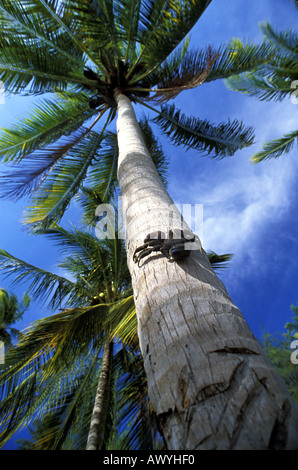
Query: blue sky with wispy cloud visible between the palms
249,210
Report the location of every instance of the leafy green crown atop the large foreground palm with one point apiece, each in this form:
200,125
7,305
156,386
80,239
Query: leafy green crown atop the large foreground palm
77,54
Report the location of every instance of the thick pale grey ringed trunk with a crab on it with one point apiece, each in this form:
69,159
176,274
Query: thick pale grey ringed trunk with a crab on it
208,380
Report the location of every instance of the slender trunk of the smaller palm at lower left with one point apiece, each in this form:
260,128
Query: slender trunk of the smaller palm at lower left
97,419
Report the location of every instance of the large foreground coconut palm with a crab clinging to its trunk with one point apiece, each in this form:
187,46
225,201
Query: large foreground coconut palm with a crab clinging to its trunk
97,59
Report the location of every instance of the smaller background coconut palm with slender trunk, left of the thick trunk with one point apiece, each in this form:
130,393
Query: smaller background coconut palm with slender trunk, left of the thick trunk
54,367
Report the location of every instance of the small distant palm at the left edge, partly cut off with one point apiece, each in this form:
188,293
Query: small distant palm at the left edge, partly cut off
11,311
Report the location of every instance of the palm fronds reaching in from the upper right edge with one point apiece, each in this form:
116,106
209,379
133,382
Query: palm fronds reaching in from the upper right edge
275,81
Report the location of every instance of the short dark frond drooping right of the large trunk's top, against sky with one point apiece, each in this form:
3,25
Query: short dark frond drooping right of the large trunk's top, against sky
215,140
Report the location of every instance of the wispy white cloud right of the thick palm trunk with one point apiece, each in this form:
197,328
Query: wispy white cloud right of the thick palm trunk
243,208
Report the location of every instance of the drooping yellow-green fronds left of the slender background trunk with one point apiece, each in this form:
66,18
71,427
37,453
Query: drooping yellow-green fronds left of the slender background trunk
40,379
